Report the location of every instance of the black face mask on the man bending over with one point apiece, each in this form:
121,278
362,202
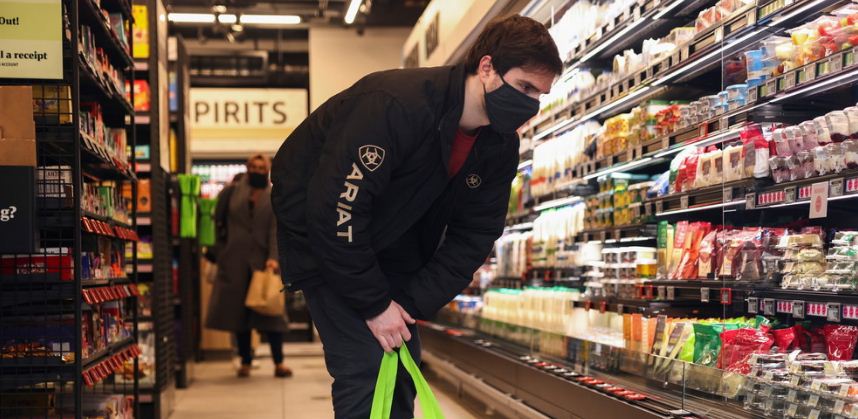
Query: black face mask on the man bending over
508,108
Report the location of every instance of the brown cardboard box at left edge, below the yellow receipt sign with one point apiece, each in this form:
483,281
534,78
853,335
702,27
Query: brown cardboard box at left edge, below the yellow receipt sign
17,128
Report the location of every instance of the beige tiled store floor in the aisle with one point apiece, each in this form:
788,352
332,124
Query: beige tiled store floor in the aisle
216,393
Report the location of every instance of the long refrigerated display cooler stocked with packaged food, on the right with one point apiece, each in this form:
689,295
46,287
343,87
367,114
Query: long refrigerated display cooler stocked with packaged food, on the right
681,237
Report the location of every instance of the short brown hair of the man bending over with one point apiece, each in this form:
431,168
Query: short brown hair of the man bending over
516,41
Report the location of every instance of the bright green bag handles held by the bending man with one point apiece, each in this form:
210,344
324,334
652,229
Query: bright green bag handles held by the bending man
382,399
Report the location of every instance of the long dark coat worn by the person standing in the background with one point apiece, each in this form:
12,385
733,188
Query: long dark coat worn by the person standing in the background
250,241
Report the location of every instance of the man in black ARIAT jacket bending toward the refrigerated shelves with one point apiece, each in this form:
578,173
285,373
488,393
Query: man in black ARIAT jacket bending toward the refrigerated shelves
392,193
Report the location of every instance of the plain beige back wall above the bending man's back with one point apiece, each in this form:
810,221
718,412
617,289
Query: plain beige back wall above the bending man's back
340,57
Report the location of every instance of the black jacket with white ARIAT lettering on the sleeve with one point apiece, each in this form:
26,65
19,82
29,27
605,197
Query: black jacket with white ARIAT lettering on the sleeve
364,203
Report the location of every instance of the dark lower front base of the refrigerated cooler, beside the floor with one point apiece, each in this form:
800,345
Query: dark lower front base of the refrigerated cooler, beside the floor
554,387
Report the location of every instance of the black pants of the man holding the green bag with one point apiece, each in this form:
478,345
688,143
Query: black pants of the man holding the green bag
353,356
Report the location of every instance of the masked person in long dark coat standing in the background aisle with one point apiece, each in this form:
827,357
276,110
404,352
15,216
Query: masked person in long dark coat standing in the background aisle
246,243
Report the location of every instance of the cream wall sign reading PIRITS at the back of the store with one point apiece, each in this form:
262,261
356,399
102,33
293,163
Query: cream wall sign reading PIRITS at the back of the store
246,114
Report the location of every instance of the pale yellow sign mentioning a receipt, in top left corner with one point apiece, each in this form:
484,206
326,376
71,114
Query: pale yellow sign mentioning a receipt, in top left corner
31,43
